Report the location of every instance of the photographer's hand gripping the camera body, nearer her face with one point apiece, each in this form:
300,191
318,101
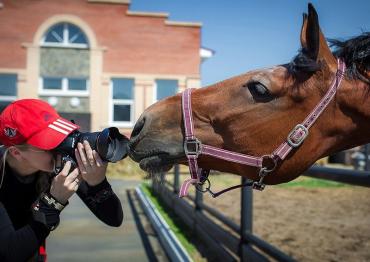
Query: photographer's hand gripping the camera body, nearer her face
65,184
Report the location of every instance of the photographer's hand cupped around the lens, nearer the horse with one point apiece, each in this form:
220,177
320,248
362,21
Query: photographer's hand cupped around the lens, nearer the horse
90,164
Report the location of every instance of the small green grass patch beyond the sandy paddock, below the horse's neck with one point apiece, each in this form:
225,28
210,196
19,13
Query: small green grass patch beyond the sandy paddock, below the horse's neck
309,182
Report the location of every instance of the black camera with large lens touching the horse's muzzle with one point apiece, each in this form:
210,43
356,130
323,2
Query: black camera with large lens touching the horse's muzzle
110,144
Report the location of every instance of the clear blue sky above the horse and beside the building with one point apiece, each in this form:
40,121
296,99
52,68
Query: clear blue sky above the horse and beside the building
247,35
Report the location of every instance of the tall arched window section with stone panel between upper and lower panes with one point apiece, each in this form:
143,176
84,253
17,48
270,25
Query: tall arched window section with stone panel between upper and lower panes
64,61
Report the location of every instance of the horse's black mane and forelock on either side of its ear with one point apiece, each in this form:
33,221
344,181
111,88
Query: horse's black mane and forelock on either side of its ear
355,52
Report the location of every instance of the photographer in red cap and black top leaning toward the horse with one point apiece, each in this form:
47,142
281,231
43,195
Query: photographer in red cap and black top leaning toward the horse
32,193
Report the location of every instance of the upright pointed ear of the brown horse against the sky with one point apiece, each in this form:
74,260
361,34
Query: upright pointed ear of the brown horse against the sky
312,39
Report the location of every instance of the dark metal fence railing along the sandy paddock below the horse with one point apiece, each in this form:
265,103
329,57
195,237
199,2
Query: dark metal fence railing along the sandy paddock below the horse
227,240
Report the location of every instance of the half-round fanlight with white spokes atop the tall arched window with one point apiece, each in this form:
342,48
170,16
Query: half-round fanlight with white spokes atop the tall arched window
65,35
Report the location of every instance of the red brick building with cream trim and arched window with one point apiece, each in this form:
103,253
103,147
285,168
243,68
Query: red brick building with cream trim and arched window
95,61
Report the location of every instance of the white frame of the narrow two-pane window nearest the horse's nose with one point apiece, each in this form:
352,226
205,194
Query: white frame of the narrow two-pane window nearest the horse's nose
113,102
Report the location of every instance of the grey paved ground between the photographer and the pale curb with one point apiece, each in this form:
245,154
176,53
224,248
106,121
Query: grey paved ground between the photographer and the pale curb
82,237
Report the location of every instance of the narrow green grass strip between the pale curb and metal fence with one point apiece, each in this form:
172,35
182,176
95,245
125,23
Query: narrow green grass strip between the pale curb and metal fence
179,228
